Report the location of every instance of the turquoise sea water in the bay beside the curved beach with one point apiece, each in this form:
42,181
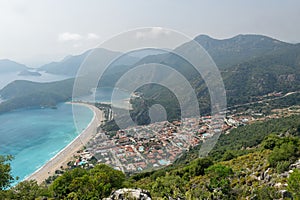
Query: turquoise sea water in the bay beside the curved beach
34,136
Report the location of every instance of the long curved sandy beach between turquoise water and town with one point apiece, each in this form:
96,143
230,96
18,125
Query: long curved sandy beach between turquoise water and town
65,155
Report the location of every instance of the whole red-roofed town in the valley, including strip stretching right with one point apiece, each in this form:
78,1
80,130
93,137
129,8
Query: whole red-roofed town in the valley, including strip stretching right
159,144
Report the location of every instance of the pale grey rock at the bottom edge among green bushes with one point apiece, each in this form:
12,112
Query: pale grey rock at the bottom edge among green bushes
129,194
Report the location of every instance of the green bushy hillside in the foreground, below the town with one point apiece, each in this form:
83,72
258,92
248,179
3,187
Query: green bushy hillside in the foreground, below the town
250,162
